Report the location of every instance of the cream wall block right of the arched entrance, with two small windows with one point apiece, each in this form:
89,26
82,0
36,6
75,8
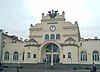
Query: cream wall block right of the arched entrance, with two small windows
74,55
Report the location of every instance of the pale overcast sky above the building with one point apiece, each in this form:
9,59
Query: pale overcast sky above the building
17,15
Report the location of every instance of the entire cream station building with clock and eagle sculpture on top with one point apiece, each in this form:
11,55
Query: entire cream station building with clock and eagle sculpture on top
52,40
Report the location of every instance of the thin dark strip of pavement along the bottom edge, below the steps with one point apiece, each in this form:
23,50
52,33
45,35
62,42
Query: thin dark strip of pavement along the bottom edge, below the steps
32,70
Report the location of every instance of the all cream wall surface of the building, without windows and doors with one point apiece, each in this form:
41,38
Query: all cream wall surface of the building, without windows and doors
65,29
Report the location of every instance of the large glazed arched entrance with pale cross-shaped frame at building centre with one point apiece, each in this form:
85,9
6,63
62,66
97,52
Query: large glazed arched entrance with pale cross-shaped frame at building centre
51,53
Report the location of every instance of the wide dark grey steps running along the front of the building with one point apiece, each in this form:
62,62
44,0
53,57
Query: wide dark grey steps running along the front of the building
56,66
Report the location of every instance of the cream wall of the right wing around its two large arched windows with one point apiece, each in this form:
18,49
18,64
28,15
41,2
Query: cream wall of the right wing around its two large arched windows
89,47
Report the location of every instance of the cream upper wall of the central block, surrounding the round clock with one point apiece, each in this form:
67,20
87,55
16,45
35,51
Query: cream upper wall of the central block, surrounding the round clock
65,29
